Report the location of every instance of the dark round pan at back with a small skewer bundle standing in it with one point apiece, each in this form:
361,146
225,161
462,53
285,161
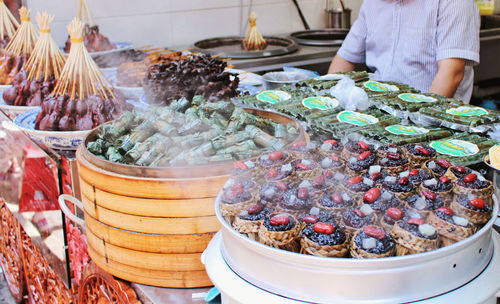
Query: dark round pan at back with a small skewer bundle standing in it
230,47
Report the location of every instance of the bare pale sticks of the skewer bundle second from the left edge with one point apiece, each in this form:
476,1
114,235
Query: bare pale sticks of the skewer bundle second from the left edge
23,41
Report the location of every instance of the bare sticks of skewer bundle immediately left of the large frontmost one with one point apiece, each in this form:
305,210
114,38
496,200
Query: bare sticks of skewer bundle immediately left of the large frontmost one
46,59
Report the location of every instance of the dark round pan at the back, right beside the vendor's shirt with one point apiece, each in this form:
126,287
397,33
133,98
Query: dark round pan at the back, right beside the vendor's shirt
320,37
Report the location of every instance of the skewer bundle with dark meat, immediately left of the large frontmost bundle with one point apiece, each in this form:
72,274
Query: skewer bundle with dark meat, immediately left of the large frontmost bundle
37,79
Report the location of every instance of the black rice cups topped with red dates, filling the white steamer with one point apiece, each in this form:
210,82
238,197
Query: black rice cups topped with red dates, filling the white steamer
377,203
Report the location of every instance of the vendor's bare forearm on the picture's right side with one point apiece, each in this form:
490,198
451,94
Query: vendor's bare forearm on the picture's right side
450,74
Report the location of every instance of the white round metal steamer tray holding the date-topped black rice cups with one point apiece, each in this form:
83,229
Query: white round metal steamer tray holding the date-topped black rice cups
342,280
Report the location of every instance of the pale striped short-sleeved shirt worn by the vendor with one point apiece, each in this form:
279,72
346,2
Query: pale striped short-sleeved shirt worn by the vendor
402,40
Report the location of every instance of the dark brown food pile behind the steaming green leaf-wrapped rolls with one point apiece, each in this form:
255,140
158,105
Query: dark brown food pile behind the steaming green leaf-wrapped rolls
195,75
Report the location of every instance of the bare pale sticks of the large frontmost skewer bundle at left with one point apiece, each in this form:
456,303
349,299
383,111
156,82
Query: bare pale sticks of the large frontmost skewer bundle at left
81,75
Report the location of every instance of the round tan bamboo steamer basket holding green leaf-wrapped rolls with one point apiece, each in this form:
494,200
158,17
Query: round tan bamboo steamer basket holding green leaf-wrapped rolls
151,225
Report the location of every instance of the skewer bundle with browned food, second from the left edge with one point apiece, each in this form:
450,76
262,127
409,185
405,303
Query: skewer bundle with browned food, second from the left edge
19,48
